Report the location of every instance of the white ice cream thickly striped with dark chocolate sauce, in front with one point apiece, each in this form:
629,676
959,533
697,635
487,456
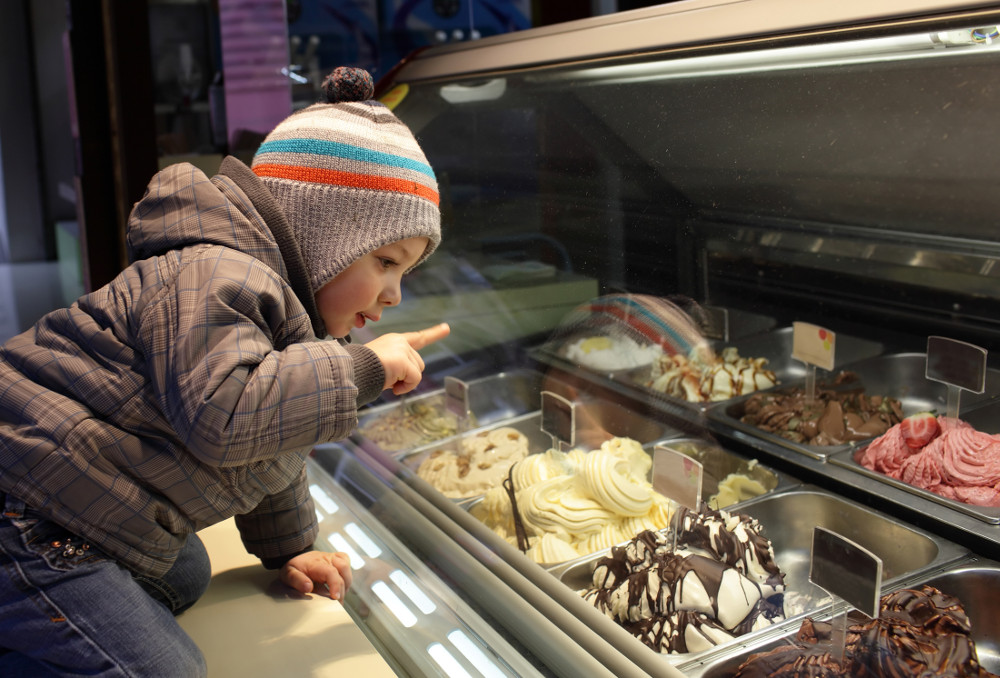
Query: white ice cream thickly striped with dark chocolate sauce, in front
720,583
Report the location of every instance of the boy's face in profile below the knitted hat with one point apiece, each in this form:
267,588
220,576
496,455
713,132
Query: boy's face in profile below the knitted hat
361,291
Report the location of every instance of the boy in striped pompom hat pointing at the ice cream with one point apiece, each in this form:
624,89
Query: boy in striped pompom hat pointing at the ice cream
192,387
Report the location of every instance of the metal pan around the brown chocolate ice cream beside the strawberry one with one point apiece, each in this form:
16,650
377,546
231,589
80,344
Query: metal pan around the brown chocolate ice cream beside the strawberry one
900,376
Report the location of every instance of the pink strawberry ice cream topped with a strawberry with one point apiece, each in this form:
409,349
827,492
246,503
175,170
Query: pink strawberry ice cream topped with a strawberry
958,462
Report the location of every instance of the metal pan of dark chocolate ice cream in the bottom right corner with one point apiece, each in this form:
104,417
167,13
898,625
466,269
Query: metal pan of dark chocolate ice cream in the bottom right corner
977,588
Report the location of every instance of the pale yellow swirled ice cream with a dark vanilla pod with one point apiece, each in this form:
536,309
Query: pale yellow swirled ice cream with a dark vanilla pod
588,501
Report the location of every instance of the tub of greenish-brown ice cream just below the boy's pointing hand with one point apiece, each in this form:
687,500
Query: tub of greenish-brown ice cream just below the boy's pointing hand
419,420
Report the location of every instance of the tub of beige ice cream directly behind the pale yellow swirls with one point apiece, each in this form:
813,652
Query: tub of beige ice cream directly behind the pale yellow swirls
459,459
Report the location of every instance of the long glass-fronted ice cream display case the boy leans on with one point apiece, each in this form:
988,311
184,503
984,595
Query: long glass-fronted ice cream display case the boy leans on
649,205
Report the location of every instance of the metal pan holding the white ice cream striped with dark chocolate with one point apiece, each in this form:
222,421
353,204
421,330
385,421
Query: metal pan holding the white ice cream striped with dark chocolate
788,519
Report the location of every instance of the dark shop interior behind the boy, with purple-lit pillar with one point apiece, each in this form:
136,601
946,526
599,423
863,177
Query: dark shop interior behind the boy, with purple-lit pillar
153,71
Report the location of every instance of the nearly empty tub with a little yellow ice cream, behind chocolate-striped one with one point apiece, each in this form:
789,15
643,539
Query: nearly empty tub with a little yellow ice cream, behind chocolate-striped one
728,478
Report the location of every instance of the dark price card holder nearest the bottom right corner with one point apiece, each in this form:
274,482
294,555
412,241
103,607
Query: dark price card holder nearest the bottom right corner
847,571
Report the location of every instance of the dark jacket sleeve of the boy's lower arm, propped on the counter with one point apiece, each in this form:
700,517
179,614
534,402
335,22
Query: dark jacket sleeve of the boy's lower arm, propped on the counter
281,526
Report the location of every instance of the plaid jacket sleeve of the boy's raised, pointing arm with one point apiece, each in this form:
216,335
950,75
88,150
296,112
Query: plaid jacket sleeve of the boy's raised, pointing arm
236,367
